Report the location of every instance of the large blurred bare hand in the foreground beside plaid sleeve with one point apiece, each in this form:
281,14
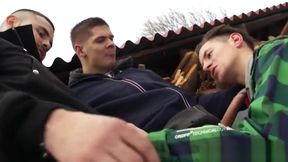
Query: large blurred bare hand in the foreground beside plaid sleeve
80,137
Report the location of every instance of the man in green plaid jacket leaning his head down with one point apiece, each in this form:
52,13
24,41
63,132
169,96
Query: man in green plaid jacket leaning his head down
228,55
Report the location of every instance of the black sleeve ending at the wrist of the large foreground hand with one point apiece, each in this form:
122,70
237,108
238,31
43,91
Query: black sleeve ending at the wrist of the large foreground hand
22,120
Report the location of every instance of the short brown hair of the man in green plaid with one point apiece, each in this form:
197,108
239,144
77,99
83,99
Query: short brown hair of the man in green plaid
225,30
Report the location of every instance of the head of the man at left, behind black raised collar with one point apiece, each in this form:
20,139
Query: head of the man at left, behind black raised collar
42,28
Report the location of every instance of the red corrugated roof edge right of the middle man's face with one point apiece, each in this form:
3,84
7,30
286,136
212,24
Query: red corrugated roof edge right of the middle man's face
183,32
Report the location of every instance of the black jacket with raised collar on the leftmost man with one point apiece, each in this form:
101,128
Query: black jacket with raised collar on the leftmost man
28,93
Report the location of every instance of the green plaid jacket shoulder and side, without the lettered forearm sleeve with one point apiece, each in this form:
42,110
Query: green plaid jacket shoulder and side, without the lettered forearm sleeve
269,106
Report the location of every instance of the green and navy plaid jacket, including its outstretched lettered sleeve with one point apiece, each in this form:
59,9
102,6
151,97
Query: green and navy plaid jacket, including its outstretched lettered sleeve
263,137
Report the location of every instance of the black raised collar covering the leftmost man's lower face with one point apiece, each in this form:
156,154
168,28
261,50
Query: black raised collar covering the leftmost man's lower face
22,36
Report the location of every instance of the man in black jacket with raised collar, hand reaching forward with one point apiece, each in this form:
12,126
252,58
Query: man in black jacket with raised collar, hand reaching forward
38,114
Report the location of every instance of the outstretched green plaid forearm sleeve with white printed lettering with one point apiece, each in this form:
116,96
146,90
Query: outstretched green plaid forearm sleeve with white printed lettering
210,143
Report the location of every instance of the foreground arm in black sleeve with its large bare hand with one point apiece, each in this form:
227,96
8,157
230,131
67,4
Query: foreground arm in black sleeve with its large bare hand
71,133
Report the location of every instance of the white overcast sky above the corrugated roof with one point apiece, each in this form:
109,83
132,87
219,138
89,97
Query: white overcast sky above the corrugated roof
125,17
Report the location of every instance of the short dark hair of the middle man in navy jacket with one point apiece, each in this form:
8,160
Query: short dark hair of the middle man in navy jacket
81,31
